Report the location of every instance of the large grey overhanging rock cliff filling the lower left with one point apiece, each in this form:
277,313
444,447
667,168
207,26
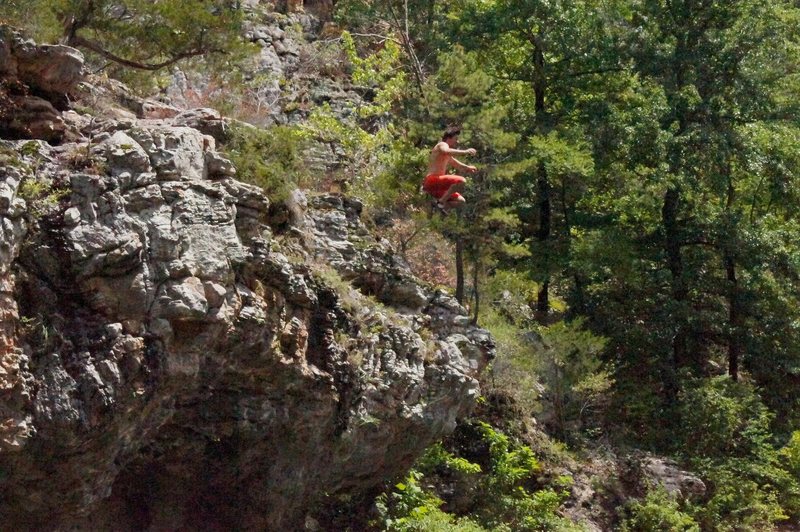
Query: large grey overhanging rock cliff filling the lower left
171,360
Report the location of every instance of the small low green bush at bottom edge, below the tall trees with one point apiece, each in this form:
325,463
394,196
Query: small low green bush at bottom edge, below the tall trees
658,512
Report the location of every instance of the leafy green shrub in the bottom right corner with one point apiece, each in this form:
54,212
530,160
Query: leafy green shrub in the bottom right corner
727,438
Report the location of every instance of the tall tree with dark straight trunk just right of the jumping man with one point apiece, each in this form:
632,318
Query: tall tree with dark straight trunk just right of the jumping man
549,54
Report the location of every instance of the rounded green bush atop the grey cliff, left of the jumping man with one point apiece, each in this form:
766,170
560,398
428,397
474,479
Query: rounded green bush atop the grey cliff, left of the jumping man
273,159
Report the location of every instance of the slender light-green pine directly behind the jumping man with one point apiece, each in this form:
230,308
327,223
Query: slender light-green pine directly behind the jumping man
460,92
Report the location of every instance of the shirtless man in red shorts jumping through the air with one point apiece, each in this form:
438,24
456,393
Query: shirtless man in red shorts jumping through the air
438,183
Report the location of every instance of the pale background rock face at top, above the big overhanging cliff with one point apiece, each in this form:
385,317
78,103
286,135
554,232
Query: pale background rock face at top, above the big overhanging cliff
299,65
